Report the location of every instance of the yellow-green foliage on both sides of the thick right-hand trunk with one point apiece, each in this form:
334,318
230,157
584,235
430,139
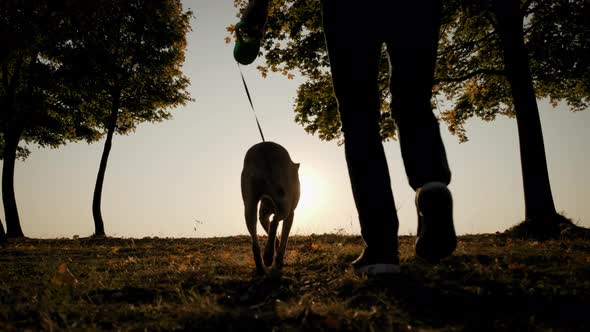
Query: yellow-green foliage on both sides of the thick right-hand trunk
471,71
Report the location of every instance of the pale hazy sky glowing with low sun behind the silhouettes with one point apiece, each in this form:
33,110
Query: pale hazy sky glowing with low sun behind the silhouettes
181,177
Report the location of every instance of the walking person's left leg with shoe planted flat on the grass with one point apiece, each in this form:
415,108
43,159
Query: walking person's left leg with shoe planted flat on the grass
354,57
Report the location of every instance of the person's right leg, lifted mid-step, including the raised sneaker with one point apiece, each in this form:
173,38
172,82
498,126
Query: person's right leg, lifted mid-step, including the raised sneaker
412,48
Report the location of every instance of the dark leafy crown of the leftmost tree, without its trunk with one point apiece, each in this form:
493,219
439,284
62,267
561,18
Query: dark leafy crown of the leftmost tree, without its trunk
32,92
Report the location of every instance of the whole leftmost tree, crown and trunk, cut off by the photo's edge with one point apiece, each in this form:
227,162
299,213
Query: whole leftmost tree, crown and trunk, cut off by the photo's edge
30,105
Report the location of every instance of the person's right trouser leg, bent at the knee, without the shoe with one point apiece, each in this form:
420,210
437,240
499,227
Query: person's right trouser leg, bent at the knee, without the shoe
412,46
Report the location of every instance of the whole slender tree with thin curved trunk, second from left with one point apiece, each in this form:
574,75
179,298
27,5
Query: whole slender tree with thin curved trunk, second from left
128,56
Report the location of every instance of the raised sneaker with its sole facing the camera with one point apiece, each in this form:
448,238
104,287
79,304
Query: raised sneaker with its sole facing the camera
436,232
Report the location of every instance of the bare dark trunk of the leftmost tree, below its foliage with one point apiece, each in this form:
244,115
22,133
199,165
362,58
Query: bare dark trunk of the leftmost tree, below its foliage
11,139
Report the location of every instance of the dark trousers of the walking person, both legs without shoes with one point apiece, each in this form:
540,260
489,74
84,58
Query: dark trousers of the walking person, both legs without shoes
355,33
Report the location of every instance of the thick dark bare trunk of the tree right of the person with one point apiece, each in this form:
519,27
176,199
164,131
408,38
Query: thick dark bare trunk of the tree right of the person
539,205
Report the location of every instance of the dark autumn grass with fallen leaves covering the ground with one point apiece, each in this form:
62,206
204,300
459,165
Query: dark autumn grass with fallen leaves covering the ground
491,283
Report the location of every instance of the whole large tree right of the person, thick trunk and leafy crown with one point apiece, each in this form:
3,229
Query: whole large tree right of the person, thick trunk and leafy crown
506,54
